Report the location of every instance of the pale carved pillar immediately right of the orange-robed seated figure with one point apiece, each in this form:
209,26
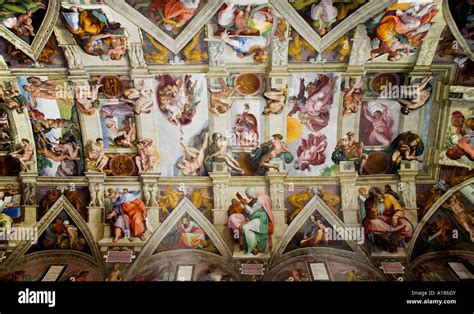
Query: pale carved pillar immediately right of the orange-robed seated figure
150,193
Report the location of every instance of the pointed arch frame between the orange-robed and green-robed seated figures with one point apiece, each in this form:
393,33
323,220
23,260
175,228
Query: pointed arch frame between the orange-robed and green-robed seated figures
184,207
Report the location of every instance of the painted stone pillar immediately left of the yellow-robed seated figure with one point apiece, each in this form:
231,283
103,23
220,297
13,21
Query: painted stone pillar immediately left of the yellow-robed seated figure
347,177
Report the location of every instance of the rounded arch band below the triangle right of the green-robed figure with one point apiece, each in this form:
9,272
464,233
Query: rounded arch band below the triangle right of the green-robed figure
323,254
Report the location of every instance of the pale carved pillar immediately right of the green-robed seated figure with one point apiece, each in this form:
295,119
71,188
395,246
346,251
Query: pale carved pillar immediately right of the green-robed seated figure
276,181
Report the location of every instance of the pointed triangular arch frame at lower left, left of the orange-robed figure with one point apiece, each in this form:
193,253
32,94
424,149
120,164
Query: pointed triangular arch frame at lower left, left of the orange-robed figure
61,204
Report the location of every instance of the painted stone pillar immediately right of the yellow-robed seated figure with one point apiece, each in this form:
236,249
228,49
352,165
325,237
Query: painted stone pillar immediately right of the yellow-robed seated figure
408,173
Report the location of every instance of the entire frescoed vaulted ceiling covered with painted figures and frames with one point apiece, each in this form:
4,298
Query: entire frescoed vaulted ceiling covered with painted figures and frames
188,140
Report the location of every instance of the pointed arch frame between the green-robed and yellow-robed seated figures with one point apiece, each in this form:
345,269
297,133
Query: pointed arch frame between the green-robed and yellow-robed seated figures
315,204
